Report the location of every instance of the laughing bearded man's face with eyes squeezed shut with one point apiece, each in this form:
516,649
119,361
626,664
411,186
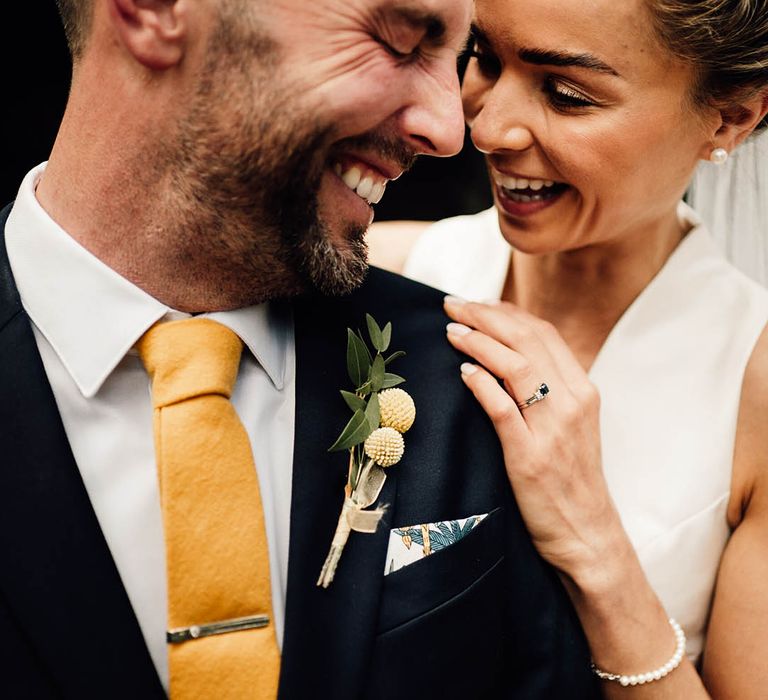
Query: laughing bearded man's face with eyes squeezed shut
303,112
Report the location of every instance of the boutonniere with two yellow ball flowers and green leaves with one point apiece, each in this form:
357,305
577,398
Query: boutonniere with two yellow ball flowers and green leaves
381,413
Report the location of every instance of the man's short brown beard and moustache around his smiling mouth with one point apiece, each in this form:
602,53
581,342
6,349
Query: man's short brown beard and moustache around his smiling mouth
249,179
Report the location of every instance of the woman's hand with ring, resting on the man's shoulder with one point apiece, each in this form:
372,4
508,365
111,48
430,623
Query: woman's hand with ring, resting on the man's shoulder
552,447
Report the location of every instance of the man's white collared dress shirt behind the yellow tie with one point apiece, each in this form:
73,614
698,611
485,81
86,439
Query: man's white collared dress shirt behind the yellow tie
86,320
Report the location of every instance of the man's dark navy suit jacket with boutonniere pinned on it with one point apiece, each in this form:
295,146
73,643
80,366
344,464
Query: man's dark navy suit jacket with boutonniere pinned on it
483,618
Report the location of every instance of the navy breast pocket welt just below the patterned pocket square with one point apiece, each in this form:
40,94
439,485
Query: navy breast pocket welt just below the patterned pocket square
426,584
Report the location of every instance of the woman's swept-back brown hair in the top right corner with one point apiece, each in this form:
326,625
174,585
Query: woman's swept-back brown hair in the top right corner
726,40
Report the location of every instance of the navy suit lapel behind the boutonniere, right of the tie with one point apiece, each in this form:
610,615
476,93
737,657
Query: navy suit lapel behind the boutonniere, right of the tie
329,633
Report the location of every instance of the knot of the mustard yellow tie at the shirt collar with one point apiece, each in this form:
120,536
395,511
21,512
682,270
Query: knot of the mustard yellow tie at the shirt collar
193,357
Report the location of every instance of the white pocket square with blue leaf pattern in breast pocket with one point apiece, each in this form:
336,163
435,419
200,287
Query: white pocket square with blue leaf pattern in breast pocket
412,543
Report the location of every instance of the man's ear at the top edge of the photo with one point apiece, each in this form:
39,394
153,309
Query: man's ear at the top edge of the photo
153,31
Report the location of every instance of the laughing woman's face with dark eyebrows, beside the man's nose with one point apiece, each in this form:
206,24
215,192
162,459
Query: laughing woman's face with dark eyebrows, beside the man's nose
585,119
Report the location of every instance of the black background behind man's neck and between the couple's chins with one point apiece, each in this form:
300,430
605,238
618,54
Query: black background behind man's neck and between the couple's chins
35,86
